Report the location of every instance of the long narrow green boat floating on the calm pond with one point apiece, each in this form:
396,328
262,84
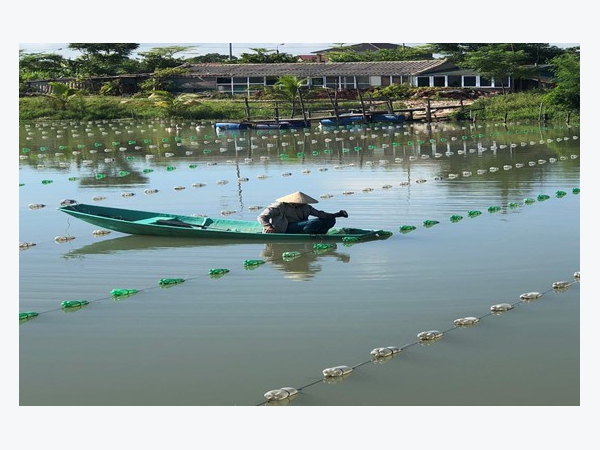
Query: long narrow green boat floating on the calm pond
175,225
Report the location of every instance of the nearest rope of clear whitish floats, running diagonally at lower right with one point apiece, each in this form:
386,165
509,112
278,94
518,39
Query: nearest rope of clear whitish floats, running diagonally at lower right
285,395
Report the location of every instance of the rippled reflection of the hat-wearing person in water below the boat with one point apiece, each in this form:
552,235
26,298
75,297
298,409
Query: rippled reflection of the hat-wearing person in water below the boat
299,260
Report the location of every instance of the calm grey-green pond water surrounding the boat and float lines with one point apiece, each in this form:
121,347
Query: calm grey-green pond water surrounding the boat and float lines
505,206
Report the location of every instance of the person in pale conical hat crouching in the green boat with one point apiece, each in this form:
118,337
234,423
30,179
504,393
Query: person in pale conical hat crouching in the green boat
290,214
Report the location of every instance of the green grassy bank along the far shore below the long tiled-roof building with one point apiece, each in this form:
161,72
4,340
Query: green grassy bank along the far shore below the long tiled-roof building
510,107
